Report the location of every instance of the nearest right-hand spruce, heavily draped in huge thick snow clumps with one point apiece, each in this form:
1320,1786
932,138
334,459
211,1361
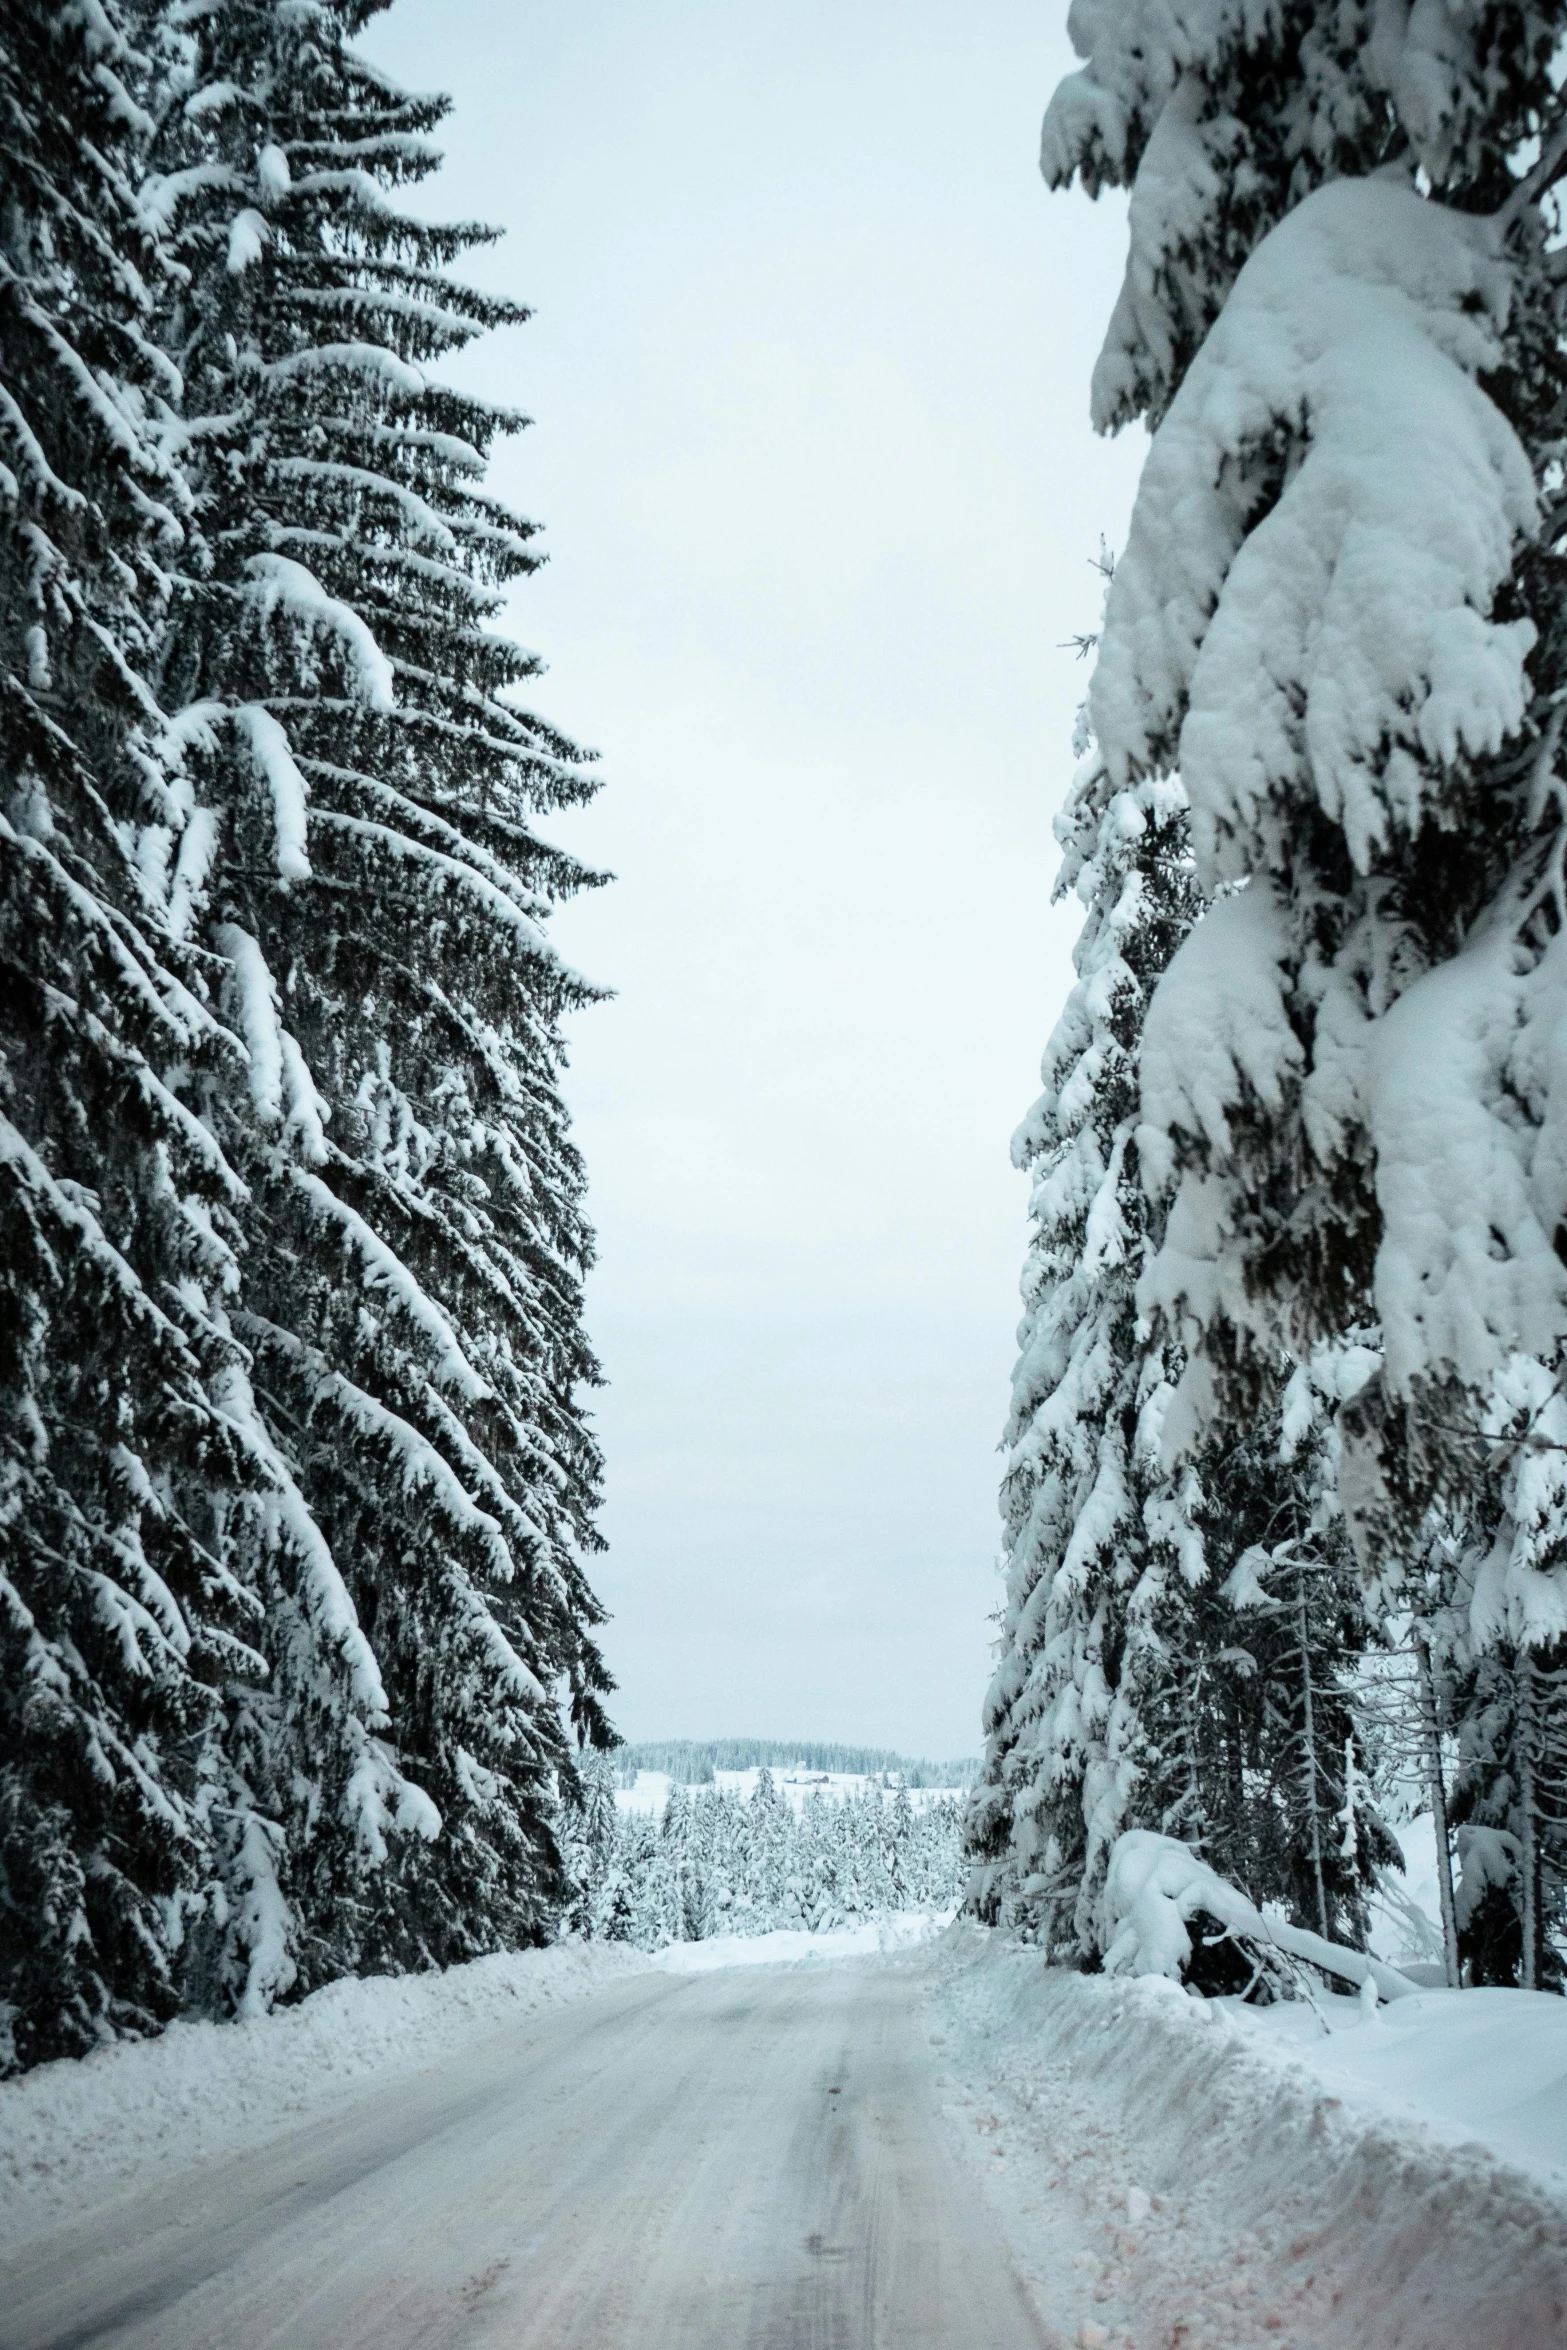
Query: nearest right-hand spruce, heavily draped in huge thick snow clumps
1340,619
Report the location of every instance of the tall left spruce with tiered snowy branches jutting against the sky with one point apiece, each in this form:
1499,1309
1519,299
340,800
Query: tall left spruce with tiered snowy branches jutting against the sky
368,871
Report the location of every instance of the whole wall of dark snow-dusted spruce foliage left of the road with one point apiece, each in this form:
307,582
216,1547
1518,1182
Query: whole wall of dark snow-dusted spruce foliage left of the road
295,1479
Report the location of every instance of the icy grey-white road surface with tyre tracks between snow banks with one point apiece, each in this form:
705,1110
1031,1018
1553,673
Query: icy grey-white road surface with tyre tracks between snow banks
737,2161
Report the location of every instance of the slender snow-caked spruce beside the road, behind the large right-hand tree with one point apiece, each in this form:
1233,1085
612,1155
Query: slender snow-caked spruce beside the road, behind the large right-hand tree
1096,1533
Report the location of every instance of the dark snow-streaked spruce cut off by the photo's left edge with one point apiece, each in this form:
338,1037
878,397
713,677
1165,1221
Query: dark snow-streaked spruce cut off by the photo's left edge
119,1604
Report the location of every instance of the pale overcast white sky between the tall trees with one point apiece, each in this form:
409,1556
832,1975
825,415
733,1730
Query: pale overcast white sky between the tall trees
809,382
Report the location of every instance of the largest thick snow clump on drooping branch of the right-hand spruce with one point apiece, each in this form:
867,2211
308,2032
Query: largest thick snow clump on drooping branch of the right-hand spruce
1340,647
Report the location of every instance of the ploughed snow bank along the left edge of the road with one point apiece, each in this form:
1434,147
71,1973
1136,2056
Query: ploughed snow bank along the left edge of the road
81,2130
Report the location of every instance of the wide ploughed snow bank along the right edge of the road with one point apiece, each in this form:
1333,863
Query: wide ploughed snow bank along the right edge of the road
1173,2175
